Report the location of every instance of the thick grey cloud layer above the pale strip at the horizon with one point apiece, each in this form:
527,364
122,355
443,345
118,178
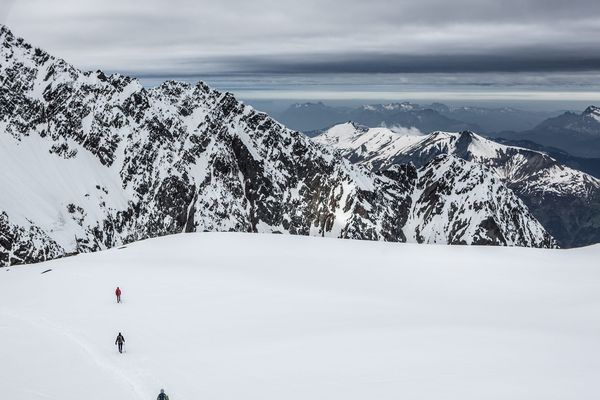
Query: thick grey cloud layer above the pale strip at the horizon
283,36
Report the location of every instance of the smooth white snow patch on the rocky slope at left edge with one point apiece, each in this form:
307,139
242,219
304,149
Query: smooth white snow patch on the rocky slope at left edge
37,186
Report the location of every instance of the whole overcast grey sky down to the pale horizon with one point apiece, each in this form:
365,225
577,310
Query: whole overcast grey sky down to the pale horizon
510,50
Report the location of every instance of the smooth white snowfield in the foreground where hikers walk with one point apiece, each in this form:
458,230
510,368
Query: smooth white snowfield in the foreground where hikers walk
250,316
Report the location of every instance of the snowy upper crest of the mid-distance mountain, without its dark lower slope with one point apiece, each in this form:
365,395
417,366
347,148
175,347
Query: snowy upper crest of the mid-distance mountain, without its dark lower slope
382,147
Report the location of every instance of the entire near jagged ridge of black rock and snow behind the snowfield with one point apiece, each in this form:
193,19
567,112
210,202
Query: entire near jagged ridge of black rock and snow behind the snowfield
92,161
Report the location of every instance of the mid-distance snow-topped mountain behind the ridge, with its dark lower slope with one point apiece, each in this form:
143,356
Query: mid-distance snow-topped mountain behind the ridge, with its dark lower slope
566,201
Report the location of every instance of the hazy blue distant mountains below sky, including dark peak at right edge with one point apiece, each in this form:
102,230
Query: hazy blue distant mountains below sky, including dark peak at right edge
578,134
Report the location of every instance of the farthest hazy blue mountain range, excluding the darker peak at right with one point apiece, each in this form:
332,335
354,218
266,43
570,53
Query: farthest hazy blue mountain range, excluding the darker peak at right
311,118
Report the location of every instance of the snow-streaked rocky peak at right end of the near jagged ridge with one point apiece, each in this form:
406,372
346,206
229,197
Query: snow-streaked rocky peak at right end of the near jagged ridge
466,203
